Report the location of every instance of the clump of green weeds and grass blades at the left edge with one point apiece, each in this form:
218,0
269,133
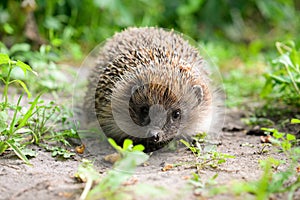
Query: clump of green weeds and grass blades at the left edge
20,126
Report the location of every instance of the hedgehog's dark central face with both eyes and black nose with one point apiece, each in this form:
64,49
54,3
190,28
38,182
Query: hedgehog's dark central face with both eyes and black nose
157,109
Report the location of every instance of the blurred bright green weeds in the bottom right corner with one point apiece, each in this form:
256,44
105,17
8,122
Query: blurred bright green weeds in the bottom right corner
272,181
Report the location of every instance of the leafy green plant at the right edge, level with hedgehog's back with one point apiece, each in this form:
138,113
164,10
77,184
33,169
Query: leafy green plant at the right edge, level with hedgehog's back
283,82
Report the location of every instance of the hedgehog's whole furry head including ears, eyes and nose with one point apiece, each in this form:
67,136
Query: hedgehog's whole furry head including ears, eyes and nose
152,109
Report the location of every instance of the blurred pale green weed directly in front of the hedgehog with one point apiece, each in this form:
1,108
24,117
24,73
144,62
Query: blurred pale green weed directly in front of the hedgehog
110,186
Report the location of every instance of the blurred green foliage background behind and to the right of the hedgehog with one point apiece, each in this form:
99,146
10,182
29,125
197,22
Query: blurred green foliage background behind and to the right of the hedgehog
238,35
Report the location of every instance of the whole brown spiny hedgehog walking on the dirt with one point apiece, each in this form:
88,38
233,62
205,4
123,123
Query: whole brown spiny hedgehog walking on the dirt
151,86
